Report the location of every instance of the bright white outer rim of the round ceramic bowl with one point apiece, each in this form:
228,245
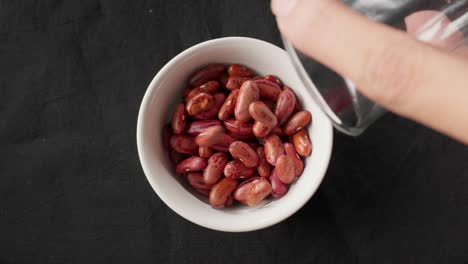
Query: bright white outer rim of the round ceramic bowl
139,138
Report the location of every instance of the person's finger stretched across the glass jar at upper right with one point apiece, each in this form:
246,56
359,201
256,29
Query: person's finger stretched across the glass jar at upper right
389,66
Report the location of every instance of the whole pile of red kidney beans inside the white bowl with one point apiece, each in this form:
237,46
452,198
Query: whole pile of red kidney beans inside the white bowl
237,136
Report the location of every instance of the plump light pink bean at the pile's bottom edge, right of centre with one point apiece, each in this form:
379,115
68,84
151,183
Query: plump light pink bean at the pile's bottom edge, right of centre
252,191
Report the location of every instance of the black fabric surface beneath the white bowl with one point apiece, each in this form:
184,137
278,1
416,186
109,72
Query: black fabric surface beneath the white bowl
72,74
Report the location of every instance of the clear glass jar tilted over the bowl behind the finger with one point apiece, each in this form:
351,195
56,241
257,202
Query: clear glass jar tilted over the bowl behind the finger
350,111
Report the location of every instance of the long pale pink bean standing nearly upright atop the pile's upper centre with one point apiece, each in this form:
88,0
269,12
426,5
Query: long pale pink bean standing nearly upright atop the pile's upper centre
248,93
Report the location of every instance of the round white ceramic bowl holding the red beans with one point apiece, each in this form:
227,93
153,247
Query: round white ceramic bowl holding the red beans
157,103
